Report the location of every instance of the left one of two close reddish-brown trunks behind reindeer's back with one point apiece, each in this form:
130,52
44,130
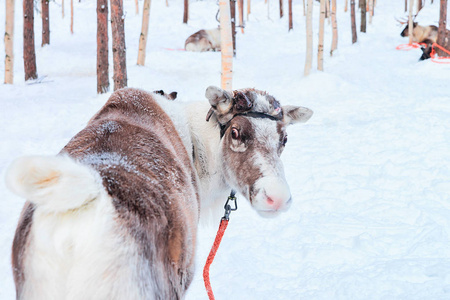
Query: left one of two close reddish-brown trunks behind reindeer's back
102,47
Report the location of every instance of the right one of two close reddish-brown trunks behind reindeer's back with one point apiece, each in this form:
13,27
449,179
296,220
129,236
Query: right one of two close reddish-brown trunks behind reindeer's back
118,43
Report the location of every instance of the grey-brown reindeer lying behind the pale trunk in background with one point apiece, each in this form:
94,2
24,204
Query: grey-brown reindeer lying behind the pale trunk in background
203,40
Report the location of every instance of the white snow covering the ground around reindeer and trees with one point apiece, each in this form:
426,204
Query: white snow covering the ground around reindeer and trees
369,173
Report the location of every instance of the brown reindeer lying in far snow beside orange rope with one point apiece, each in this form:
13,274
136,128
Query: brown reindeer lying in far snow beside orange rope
422,35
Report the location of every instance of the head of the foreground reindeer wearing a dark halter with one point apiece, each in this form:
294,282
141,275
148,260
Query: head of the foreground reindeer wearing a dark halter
253,136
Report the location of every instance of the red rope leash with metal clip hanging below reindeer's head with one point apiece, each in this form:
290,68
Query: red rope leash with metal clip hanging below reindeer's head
223,225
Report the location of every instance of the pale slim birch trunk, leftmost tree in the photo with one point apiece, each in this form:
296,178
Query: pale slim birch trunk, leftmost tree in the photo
9,42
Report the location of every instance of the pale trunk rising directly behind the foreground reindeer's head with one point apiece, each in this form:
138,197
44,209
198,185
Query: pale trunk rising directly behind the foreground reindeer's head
226,45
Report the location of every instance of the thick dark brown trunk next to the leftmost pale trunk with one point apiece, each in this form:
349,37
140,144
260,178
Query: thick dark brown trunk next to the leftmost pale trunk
29,54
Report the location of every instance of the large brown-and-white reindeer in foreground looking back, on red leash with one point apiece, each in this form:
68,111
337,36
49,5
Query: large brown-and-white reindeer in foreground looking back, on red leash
115,214
